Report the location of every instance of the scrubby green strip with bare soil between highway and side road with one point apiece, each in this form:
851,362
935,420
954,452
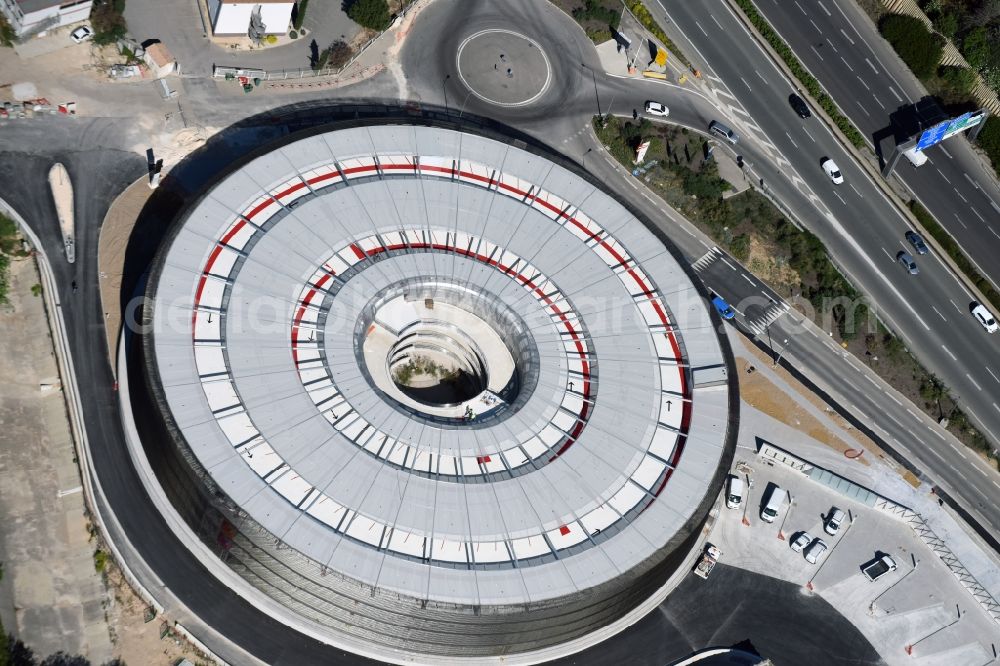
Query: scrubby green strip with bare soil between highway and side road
792,261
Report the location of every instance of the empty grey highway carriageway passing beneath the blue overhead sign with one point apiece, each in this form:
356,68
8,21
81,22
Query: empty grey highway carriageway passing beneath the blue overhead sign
838,43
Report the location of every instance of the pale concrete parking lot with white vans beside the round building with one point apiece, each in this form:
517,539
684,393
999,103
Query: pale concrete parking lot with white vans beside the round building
918,613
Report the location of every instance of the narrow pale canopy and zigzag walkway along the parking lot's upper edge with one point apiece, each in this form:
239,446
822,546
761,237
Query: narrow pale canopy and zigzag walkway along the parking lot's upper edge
900,512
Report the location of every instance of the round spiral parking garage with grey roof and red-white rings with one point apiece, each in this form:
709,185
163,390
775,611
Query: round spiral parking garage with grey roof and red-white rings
457,400
